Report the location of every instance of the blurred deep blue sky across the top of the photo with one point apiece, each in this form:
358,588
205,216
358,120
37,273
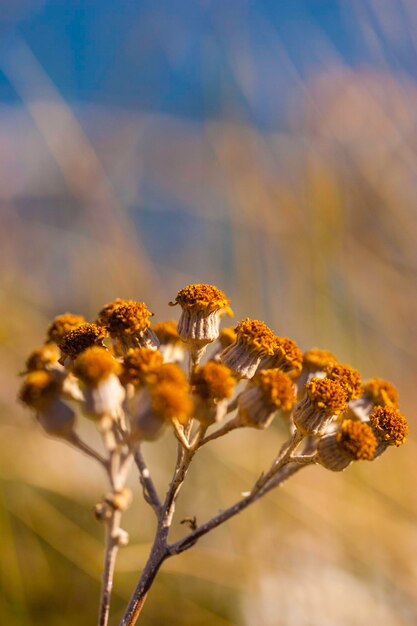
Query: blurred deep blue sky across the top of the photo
199,58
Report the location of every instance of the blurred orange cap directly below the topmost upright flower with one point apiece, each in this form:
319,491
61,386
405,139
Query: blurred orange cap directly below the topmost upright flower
213,381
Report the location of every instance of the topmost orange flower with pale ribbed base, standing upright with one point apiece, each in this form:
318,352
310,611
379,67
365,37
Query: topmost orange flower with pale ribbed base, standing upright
199,321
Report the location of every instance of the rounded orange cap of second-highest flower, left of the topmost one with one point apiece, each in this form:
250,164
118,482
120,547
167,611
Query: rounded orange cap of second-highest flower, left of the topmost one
128,319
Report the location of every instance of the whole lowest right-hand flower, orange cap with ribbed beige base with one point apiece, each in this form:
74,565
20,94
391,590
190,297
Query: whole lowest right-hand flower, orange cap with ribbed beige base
352,441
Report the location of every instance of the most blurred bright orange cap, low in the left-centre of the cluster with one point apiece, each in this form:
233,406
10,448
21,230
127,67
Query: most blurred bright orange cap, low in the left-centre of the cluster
169,402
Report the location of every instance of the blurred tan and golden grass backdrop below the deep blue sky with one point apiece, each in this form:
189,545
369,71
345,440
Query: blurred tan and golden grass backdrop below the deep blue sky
312,229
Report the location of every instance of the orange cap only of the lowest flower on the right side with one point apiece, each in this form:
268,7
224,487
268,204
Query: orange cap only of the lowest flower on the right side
357,439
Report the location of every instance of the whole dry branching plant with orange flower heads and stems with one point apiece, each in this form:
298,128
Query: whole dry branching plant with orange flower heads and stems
127,376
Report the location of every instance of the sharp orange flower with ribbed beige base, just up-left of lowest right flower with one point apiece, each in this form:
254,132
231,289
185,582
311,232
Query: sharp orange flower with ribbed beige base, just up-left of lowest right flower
324,399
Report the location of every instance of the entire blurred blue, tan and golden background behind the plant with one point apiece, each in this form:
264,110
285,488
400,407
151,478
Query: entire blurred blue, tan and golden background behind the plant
269,148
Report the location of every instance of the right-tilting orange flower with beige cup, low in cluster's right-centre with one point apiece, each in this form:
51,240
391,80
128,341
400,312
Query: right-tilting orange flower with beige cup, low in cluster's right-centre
268,391
